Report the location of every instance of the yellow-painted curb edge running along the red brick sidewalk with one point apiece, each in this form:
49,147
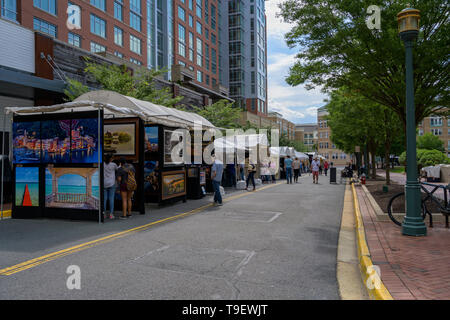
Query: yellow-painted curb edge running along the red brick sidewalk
370,277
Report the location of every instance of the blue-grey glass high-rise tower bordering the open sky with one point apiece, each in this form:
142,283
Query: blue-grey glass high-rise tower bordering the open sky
243,53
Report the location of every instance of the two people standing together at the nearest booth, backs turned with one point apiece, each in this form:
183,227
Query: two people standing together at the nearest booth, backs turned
121,179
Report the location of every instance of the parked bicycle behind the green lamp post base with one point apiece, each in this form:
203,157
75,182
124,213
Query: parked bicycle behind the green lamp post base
396,206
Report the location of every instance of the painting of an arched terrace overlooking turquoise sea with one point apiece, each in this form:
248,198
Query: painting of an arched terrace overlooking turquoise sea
72,188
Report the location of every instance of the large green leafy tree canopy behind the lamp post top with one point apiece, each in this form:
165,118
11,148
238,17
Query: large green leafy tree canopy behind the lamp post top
337,49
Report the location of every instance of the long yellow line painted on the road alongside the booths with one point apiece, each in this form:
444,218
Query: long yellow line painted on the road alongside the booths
61,253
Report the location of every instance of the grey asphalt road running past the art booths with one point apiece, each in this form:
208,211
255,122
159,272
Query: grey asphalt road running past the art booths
278,243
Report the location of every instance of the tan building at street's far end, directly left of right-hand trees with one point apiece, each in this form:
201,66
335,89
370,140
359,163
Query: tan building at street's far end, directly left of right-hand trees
325,146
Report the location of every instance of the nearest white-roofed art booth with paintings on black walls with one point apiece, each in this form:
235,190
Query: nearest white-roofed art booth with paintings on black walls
58,154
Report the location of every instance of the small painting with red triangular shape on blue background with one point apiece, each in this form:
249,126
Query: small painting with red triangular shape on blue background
27,186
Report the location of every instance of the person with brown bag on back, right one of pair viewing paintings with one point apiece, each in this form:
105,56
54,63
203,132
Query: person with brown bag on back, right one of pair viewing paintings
127,182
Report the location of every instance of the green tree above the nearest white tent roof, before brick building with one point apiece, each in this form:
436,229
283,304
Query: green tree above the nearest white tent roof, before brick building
121,80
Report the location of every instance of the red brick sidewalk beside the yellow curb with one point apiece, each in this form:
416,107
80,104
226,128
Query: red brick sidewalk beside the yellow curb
411,268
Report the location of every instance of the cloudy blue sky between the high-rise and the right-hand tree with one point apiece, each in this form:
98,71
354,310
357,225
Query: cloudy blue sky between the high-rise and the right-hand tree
296,104
